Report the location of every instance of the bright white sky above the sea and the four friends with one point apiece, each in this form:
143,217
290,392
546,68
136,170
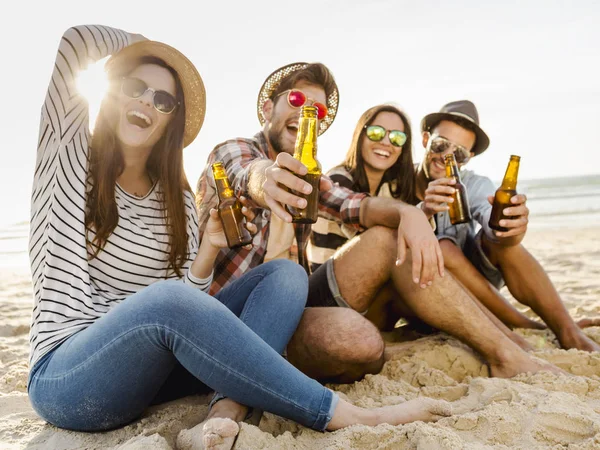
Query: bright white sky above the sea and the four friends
531,67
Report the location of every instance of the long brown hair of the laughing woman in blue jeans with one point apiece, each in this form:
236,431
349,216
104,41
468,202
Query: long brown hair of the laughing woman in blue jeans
164,165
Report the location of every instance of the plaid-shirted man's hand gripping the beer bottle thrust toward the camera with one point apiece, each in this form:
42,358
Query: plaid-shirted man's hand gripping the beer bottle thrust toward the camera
281,175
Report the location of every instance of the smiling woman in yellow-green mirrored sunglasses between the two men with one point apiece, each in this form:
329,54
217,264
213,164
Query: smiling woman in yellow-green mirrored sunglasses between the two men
379,161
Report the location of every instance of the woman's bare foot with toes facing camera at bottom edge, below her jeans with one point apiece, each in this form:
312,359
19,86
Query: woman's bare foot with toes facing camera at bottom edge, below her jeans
218,431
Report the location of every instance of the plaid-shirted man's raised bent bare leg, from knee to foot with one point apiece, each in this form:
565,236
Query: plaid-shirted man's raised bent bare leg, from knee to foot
367,262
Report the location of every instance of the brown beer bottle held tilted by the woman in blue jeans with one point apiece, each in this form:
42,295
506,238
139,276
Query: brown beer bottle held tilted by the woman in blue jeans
230,210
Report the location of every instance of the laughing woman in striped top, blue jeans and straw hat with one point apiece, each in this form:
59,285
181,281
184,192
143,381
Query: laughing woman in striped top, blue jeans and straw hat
121,316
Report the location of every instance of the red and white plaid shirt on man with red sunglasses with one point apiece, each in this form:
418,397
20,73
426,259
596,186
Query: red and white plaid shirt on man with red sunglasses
236,155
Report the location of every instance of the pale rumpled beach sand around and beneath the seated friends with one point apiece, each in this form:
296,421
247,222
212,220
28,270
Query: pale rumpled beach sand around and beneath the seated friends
526,412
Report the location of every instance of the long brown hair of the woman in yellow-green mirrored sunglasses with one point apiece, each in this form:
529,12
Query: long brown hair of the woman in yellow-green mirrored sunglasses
401,174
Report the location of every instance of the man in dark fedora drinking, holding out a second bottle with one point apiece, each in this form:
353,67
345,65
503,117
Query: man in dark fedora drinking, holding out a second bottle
484,260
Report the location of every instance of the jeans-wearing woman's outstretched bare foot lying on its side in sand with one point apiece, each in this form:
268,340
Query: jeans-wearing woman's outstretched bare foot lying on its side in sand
423,408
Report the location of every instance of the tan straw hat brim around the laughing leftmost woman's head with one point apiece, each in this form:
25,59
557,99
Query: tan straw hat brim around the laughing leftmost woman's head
194,94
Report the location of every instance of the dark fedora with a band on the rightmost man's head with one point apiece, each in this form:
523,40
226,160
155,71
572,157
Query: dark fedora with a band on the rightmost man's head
464,113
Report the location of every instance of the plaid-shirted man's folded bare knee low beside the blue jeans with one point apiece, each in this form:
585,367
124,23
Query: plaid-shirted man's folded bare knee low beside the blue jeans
336,345
